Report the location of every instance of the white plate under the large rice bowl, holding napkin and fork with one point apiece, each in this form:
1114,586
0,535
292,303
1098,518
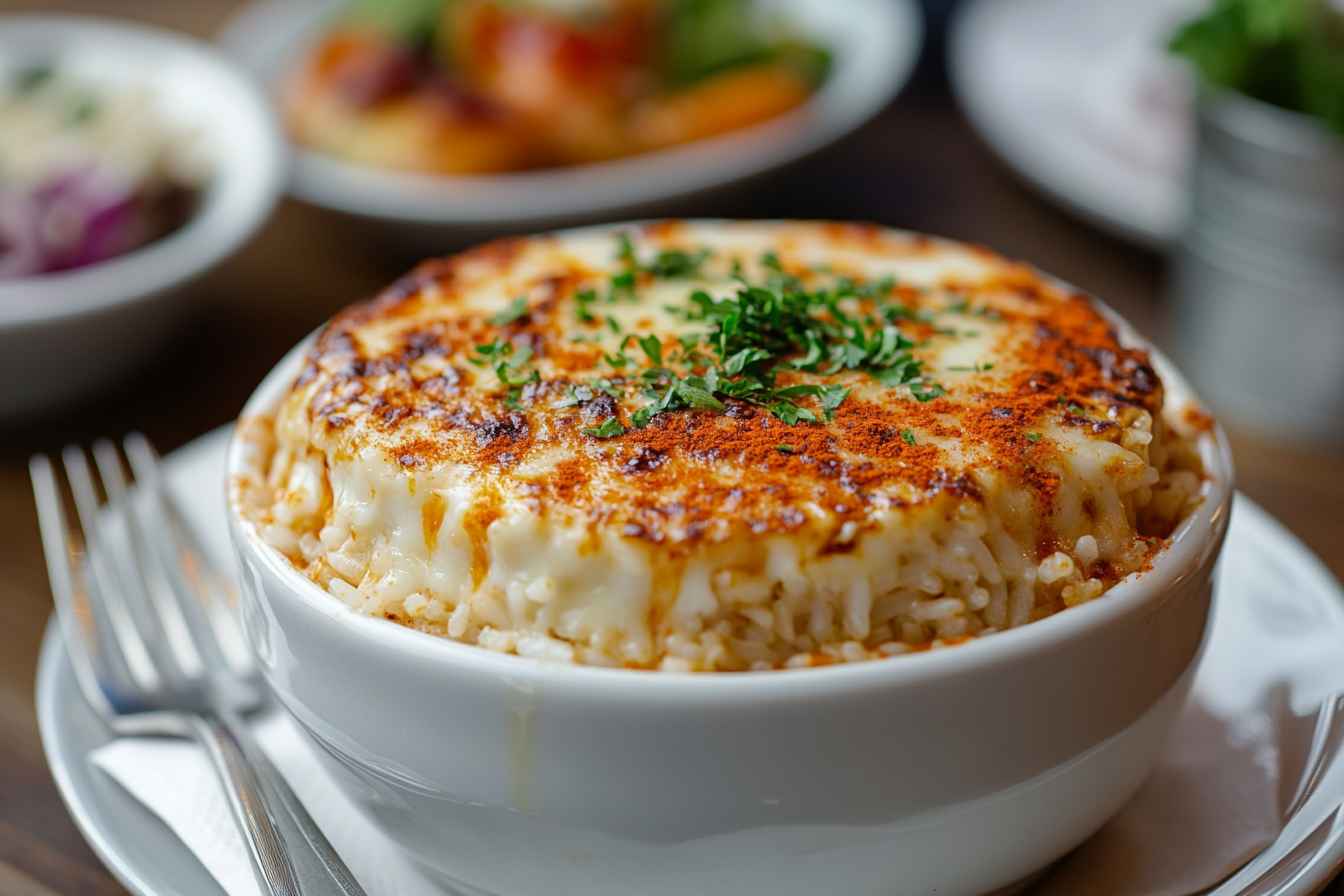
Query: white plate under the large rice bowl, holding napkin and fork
147,858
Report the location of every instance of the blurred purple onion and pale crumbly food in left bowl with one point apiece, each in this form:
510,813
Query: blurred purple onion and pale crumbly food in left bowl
88,173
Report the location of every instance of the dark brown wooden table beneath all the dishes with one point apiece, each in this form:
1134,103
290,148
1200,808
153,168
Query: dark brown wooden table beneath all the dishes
919,166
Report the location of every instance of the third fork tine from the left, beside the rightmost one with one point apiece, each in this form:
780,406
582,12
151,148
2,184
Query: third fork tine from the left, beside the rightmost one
165,615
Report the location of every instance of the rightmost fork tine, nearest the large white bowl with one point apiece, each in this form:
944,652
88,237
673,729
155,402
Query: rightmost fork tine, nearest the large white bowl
197,582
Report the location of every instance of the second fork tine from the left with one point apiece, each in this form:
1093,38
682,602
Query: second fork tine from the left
132,647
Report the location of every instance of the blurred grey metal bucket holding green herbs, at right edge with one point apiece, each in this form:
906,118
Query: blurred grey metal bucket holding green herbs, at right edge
1259,279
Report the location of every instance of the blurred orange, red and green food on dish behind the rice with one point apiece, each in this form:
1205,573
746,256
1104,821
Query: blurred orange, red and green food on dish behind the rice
474,87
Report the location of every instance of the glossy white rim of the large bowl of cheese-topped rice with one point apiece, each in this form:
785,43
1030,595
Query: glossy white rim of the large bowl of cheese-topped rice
1190,549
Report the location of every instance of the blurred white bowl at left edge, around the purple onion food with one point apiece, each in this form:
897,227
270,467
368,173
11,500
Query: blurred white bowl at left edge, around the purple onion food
67,332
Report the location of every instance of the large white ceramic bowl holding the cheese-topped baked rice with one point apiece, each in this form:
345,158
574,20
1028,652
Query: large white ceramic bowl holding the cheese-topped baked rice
956,772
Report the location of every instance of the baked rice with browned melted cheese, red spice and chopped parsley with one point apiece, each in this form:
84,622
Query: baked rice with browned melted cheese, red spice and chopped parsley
721,447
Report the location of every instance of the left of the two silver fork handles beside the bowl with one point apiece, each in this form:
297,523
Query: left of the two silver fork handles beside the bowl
249,805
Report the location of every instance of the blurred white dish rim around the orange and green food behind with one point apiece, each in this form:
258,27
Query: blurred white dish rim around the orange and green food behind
876,45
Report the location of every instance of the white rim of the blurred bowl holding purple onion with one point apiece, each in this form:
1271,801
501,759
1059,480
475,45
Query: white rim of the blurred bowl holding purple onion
232,209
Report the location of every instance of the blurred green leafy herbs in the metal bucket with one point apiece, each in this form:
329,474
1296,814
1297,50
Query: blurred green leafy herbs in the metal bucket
1288,53
